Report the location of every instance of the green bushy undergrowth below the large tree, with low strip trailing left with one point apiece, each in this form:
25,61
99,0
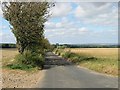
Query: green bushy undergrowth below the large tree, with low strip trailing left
27,60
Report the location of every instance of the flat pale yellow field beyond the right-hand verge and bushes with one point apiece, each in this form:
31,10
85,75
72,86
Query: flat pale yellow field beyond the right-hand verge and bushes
99,52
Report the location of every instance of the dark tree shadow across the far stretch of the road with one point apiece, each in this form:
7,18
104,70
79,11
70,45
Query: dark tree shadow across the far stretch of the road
52,60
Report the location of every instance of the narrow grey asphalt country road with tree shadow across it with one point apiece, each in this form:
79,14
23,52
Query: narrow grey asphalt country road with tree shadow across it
59,73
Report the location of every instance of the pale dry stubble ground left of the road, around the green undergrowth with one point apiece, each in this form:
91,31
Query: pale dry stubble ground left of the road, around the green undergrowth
17,78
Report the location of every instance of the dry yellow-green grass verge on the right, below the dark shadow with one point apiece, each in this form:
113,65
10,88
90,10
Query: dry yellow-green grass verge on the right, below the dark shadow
102,65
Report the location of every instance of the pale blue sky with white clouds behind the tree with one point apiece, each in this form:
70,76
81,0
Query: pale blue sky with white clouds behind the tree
76,23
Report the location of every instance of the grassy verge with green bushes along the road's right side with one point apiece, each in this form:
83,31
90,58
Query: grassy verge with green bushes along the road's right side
102,64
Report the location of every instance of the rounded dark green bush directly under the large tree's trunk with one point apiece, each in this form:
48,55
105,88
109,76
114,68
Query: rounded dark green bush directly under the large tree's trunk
30,58
